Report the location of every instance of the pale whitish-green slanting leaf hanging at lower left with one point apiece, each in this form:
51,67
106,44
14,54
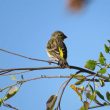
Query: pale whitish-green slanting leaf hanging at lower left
11,92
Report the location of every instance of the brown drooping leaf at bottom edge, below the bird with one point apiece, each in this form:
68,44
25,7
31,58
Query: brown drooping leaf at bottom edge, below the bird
51,102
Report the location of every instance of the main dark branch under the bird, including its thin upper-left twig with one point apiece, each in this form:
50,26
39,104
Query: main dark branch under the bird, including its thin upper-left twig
71,67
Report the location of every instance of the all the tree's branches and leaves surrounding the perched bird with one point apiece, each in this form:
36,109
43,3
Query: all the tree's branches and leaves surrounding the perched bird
87,86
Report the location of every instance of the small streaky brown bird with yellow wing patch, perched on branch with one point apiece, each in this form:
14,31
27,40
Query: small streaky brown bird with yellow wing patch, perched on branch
56,48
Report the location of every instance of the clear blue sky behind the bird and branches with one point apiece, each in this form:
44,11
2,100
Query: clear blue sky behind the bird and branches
25,28
